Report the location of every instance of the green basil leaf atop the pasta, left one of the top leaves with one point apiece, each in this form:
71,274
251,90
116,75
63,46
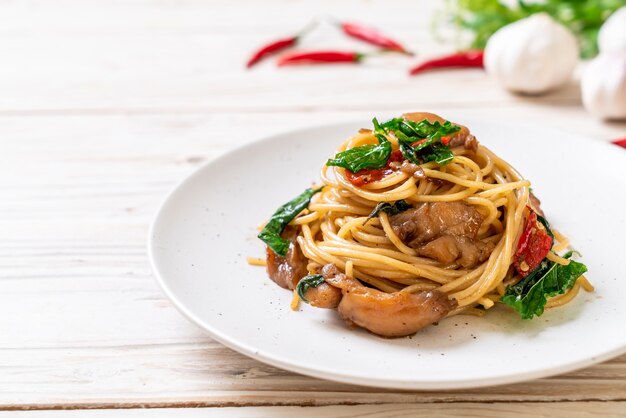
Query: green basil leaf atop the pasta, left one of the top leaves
365,156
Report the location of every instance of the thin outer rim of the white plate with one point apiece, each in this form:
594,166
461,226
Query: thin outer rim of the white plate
376,382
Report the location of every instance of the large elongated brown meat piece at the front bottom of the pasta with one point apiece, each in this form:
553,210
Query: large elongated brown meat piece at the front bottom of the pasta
387,314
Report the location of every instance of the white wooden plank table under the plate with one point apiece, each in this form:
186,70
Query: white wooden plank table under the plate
104,106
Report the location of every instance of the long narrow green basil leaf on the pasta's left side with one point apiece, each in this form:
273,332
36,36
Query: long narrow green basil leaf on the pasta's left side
279,220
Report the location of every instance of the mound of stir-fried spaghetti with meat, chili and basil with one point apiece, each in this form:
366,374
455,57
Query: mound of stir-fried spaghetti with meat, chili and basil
460,231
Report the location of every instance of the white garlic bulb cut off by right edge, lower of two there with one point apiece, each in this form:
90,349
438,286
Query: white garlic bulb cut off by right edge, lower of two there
603,85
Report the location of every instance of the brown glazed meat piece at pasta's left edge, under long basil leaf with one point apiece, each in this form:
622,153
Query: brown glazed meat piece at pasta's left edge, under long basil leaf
287,271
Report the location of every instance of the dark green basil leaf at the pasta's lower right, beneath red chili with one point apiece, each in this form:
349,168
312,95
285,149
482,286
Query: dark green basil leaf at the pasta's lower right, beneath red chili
529,296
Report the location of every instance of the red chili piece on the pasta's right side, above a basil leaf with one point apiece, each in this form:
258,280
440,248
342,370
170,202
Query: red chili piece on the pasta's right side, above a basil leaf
534,244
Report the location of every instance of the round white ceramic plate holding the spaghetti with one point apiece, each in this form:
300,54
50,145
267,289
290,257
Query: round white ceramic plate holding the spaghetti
207,226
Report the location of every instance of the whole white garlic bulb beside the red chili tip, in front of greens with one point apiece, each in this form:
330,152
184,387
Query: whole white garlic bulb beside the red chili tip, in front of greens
532,55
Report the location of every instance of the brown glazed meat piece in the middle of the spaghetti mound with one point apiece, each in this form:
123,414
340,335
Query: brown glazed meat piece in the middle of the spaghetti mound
444,231
